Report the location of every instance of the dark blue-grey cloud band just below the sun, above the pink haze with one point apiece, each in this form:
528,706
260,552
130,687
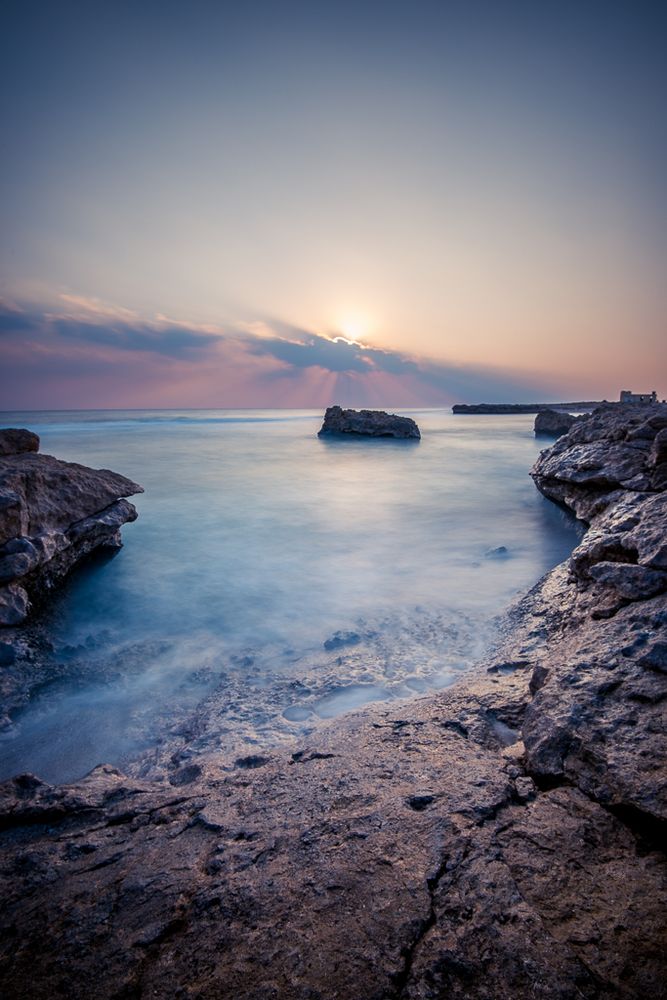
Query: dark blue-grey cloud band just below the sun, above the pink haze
289,353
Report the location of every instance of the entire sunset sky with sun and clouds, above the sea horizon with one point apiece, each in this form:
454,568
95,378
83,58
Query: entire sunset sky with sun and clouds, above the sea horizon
295,204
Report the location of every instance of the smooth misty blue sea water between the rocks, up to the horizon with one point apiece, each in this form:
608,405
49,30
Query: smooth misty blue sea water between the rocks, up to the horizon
275,579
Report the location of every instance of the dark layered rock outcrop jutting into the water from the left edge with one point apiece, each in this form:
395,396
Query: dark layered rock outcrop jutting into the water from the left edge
52,515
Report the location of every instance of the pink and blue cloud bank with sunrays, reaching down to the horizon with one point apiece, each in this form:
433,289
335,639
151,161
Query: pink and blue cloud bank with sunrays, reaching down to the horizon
103,355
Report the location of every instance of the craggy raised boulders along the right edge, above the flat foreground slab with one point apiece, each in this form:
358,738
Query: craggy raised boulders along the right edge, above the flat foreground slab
598,717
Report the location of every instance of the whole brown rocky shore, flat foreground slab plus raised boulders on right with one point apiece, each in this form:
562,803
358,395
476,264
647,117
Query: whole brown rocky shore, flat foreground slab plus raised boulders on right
503,838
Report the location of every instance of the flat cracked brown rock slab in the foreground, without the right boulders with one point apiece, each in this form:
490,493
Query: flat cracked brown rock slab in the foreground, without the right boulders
398,859
